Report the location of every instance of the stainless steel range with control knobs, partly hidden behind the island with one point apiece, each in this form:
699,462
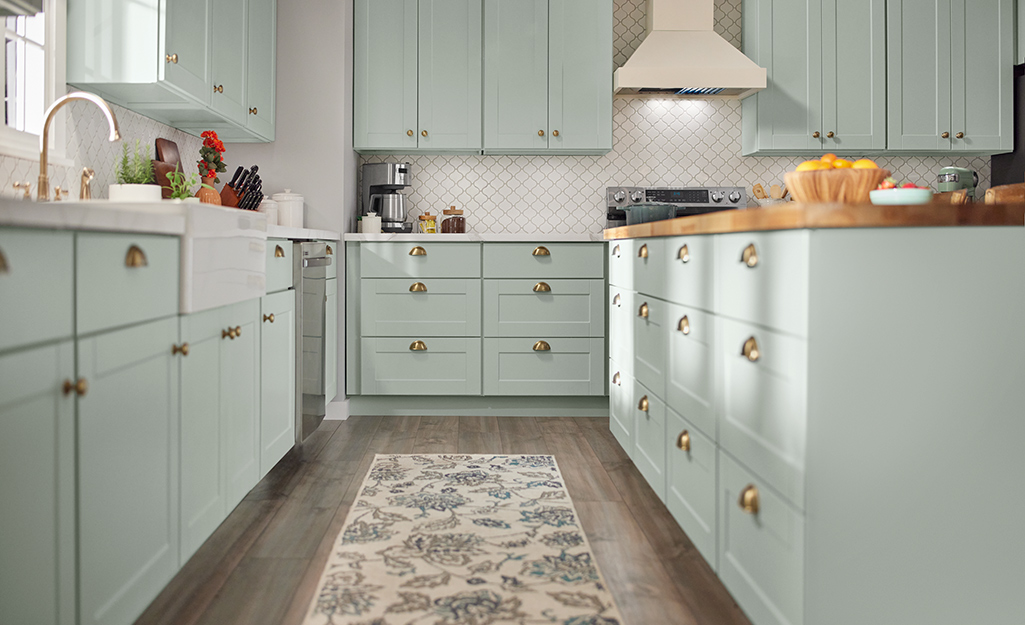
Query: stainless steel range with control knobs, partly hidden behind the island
687,200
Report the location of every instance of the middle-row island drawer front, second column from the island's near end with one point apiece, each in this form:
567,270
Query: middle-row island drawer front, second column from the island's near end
691,366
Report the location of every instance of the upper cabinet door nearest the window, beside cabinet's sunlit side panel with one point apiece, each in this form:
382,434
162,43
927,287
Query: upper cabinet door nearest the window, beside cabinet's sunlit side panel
187,40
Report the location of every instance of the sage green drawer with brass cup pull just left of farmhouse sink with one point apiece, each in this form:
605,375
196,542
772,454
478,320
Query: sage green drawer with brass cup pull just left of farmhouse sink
126,279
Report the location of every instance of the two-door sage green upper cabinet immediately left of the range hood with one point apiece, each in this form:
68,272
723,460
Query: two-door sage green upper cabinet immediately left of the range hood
548,77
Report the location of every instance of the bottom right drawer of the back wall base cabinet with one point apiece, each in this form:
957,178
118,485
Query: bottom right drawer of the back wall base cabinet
523,367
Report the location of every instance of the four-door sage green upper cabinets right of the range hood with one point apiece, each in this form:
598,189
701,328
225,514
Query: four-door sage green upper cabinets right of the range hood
877,76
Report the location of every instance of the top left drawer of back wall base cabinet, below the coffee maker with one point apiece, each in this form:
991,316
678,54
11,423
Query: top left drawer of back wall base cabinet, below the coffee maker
405,260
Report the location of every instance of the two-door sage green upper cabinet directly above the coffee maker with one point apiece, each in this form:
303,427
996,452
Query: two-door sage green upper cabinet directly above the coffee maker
418,76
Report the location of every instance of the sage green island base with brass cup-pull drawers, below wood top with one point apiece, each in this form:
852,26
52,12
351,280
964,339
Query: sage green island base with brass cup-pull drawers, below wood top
832,413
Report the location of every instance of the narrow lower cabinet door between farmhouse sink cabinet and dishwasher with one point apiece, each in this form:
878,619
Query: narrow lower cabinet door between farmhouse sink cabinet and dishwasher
277,379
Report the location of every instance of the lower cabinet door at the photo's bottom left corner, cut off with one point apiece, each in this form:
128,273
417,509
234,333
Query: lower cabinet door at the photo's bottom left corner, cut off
37,487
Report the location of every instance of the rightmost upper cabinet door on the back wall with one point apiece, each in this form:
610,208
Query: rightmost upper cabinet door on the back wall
982,75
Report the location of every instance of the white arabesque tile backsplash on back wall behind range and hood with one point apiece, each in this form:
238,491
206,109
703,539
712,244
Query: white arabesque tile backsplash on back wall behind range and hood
655,143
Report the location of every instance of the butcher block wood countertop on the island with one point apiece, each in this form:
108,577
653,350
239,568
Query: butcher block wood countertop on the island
798,217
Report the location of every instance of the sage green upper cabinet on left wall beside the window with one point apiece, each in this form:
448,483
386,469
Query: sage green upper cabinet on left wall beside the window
194,65
